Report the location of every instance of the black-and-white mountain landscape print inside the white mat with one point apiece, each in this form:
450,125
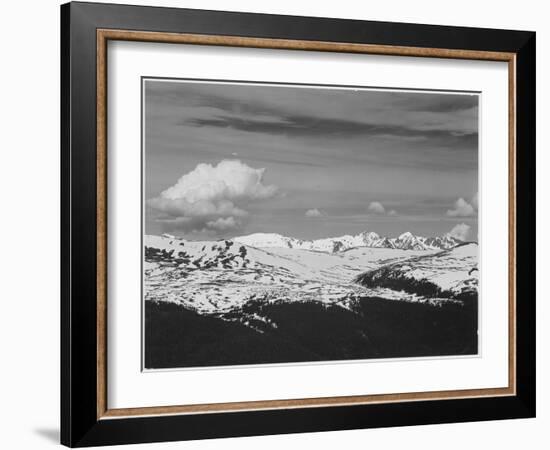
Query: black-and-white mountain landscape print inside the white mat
301,223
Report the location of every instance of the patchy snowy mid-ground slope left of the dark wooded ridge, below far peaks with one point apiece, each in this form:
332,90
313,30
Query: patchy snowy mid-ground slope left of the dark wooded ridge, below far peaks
212,277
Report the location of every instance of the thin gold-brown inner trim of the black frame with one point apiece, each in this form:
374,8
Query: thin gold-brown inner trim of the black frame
103,36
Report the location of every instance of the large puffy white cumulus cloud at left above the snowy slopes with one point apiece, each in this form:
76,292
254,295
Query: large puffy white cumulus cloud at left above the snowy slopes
211,197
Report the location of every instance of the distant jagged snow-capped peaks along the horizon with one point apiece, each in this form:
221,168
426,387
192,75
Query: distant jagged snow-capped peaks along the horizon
406,241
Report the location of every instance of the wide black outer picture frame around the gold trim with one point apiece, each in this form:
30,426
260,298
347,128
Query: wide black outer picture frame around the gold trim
80,425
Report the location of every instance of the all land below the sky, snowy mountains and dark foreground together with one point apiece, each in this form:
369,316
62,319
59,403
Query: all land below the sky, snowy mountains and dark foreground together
267,298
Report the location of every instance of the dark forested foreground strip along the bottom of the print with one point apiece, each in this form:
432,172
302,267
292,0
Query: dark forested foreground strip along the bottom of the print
302,332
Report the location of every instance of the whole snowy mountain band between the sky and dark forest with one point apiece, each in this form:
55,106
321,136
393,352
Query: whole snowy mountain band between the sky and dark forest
214,277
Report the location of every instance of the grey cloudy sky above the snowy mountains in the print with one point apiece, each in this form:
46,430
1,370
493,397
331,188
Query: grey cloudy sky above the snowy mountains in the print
225,159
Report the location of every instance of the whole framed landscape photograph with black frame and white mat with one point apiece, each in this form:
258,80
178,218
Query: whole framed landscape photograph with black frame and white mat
277,224
